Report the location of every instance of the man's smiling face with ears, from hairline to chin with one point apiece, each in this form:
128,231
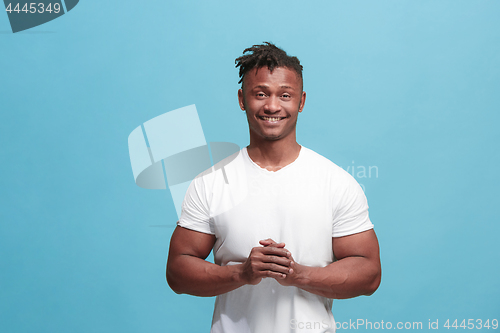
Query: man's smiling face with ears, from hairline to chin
272,102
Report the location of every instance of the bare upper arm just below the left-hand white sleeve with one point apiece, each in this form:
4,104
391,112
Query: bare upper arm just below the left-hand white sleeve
189,242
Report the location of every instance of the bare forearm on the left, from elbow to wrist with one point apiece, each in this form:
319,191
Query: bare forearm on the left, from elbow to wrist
191,275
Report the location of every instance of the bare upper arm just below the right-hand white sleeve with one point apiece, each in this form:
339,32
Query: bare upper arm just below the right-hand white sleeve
362,244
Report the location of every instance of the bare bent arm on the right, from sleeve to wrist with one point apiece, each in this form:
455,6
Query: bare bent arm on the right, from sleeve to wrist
356,272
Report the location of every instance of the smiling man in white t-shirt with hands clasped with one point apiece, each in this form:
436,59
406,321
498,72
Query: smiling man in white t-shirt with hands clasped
289,229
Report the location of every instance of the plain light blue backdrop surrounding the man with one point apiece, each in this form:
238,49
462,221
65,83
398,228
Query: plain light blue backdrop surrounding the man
410,87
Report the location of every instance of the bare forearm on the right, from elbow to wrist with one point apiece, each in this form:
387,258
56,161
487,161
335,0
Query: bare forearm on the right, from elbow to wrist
346,278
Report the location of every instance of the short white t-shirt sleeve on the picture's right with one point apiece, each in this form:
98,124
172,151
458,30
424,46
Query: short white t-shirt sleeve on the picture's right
351,214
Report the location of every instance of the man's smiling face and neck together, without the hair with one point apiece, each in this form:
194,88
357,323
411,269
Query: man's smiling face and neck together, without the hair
277,94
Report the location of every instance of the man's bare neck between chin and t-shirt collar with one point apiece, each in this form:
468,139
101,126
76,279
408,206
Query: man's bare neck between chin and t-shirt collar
273,155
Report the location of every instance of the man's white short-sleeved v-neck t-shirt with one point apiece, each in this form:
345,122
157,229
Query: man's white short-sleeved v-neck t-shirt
304,205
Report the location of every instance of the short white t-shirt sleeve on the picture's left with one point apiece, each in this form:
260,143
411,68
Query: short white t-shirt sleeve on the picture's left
195,212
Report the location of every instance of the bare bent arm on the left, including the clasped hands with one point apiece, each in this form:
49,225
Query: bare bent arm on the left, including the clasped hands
188,271
